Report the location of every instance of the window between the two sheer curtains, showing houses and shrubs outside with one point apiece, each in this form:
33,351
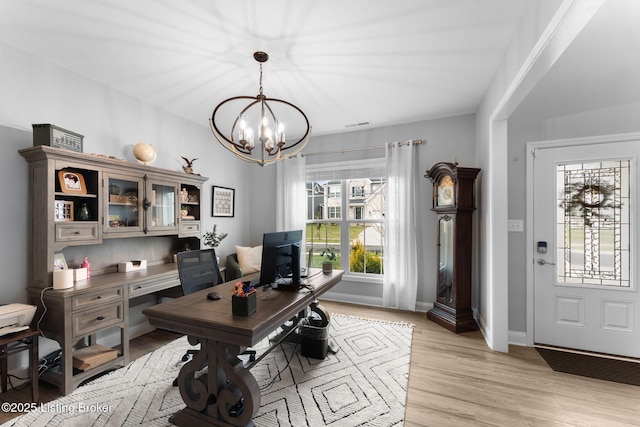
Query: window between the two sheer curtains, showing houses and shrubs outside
346,217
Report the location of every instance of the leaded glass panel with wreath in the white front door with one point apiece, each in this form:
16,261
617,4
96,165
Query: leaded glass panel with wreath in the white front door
593,223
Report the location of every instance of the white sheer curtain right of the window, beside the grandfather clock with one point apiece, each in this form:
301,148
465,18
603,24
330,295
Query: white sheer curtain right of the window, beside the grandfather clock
400,288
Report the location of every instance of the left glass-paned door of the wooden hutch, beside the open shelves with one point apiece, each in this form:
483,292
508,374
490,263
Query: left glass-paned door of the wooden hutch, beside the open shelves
123,202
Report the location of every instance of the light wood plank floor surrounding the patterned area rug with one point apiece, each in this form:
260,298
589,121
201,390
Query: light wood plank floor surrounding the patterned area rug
456,380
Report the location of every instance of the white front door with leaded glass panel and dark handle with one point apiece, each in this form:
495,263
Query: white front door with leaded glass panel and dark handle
585,257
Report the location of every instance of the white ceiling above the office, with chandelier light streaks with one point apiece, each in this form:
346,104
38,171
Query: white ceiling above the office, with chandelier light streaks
342,61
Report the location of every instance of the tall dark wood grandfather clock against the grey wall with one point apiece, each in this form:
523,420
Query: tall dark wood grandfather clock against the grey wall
453,201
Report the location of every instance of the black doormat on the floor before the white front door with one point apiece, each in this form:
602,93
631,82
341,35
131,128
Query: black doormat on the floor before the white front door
602,367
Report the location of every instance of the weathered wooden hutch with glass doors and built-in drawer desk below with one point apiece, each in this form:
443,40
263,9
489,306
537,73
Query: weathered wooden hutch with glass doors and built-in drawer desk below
83,201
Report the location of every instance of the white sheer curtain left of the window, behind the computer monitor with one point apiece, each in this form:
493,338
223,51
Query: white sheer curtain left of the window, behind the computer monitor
291,197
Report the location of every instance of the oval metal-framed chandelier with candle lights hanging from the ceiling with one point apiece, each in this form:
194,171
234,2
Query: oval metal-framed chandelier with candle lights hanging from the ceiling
260,120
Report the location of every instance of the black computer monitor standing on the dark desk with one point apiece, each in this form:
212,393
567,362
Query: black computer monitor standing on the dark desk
280,264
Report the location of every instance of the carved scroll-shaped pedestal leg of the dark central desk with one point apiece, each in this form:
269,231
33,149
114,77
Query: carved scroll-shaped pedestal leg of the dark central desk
210,396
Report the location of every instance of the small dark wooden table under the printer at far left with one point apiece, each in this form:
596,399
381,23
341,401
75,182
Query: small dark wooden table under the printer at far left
15,343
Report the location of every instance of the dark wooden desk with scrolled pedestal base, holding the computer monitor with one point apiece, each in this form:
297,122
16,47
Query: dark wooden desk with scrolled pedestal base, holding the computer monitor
222,336
